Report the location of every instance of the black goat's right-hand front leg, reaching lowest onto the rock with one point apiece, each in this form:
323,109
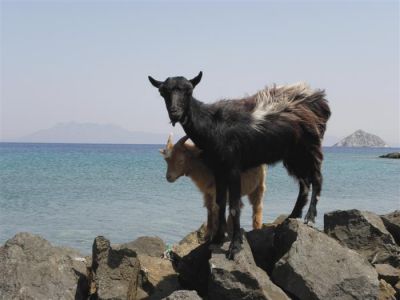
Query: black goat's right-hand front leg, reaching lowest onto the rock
234,211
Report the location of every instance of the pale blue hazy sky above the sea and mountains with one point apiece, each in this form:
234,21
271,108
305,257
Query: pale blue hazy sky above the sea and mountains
88,61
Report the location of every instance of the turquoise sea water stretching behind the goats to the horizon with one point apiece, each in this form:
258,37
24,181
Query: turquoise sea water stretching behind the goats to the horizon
70,193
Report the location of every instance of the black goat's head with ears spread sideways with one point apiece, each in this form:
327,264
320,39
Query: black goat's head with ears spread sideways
177,92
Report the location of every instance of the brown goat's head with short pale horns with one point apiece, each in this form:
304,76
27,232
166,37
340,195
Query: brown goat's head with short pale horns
176,157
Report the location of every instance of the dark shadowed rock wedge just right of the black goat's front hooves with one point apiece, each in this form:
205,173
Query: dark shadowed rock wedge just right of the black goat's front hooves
261,242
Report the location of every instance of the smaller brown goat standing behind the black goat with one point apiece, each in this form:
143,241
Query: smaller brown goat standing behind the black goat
183,159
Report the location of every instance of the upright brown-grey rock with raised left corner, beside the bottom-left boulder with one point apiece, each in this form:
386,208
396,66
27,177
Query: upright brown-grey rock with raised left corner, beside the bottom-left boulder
115,272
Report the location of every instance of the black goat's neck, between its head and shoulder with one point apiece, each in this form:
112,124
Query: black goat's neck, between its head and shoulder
198,123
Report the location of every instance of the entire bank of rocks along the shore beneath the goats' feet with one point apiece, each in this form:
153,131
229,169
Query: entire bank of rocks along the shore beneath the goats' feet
284,260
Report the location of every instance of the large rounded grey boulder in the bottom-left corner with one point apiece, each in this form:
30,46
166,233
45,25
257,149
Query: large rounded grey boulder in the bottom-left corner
31,268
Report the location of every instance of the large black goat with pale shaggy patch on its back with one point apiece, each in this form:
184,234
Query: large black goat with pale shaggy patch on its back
279,123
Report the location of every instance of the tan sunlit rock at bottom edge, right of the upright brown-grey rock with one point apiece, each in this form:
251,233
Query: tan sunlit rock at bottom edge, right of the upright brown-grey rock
161,278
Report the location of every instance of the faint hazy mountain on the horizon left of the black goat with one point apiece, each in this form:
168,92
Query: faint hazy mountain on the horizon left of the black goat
73,132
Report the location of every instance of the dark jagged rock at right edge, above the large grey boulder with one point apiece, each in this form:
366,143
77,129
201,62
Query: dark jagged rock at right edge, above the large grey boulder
365,233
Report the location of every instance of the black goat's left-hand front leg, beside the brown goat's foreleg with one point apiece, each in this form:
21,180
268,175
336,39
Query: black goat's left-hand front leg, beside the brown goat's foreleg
220,191
